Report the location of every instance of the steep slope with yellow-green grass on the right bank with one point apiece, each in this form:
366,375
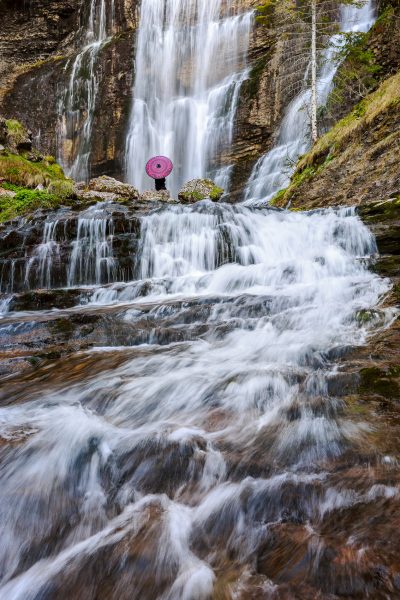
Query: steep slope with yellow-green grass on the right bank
355,163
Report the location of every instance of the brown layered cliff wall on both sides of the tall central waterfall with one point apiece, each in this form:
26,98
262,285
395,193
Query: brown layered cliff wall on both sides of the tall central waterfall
40,42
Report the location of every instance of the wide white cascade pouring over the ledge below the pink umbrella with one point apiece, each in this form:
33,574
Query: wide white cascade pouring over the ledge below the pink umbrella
222,249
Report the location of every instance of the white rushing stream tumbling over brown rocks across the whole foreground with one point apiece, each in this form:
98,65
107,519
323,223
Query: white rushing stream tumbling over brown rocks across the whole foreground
213,457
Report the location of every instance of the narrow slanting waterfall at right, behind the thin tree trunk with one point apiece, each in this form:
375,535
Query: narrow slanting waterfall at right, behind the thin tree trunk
272,171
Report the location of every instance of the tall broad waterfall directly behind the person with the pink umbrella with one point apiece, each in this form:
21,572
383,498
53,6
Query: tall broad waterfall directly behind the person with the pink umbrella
190,64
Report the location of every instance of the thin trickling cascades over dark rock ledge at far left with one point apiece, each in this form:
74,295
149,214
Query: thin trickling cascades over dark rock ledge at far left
74,251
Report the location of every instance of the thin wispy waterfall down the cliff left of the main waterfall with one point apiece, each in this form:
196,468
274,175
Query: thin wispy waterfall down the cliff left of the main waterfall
78,102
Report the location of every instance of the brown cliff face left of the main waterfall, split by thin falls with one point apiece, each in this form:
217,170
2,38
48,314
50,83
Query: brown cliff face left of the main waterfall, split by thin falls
38,47
